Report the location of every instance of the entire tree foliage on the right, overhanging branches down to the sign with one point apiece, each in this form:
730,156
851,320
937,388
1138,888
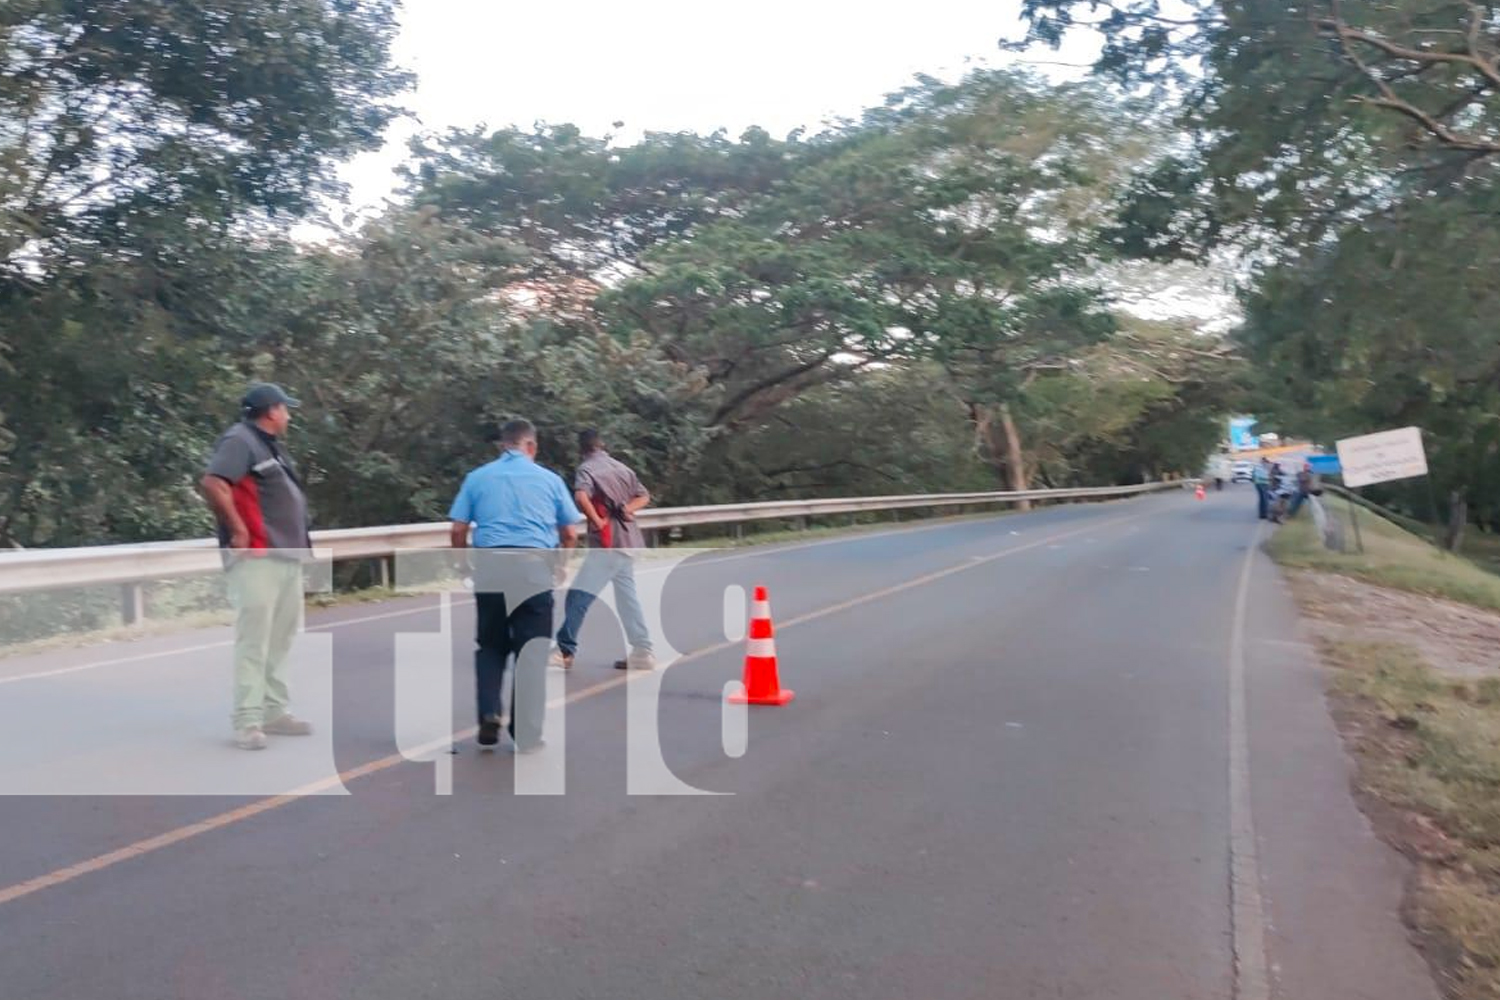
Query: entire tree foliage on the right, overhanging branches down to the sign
1348,152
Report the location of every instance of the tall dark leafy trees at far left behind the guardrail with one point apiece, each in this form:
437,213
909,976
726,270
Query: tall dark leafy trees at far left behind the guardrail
140,143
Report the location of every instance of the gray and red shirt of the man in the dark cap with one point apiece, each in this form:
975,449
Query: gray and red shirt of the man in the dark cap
268,493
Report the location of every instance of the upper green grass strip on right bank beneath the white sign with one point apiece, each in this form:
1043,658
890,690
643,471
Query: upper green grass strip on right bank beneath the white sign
1393,557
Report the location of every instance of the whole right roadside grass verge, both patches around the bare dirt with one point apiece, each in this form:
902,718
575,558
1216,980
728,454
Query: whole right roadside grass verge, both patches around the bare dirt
1426,743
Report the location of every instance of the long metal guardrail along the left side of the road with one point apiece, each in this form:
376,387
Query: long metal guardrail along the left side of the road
131,564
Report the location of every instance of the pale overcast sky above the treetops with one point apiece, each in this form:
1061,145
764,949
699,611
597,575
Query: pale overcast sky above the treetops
673,65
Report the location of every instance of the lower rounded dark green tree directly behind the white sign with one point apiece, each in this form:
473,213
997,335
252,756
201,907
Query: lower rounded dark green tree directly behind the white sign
1388,329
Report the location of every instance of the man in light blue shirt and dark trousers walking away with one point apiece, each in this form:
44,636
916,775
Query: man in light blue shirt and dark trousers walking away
520,512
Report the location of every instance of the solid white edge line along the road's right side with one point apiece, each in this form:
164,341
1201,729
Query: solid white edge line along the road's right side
1247,908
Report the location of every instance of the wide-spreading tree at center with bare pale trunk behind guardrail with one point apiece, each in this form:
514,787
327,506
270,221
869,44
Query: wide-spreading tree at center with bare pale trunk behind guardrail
952,224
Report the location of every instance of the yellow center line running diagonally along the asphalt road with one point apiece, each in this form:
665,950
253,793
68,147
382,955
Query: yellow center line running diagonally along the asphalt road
239,815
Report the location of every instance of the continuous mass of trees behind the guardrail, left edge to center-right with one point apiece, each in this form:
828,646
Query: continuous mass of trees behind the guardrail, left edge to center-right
908,301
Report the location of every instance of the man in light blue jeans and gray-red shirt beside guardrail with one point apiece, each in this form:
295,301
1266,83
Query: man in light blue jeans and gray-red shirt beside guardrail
610,494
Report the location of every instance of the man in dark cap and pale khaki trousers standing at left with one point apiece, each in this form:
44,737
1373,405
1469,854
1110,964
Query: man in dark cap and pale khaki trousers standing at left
257,499
